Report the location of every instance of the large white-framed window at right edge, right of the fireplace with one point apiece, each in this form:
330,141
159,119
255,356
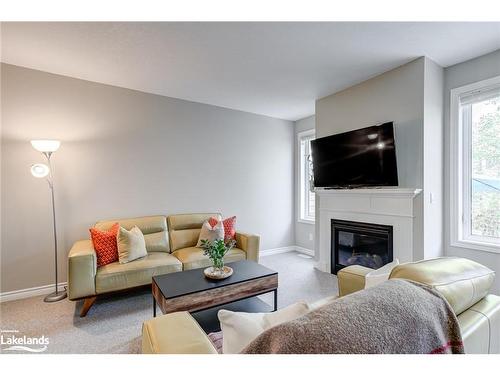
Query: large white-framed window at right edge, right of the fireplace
475,183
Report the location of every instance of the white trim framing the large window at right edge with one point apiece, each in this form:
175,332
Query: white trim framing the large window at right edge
459,161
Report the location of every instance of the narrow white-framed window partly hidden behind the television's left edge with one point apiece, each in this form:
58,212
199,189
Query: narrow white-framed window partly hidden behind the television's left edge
306,195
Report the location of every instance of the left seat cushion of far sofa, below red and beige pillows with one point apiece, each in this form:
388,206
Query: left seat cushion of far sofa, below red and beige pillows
116,276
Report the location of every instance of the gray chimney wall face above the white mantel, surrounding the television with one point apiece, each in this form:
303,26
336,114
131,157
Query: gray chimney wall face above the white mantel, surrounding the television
396,96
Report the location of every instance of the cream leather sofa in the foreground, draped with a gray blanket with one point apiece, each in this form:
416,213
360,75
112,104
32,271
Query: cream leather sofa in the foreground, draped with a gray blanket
464,284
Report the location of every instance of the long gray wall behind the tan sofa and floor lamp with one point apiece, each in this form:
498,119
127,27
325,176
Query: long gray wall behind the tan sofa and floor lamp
126,153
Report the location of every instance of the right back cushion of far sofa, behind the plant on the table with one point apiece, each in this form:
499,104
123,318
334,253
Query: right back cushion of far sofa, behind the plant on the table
184,229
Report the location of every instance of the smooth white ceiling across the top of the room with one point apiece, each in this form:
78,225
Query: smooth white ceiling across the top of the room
274,69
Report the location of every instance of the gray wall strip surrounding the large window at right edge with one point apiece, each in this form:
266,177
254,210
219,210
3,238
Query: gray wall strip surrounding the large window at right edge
474,70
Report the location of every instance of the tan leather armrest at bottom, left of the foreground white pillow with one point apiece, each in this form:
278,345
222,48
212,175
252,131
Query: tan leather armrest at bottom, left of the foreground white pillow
175,333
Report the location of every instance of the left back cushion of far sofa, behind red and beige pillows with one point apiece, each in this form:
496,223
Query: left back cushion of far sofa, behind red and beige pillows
154,229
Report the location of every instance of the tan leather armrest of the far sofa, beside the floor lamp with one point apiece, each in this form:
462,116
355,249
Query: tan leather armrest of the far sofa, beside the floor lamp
82,268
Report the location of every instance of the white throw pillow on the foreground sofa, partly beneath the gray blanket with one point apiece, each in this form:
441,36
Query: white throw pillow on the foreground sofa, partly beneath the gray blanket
239,328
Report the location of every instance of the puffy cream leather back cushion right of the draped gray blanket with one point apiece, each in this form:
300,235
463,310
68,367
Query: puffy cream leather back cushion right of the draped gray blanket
461,281
